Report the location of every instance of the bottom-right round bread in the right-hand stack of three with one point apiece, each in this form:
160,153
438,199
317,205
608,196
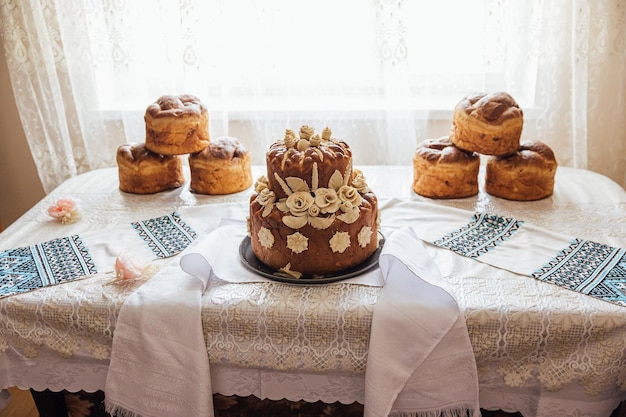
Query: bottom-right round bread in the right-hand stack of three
526,175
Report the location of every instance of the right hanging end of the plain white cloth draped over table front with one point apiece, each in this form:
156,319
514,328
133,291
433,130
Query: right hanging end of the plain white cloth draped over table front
420,360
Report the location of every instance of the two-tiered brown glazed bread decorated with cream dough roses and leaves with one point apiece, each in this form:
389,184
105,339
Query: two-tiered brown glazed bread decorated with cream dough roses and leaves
312,215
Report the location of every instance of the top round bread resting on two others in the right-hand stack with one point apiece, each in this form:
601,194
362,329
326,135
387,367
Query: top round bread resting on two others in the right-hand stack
489,124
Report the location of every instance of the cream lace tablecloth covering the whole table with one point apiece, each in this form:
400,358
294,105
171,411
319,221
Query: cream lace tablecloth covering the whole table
540,349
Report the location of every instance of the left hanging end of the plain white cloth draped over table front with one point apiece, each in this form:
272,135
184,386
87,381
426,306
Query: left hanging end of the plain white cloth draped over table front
159,363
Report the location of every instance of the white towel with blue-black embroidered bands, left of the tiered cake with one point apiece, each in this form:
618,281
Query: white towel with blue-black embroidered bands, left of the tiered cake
78,256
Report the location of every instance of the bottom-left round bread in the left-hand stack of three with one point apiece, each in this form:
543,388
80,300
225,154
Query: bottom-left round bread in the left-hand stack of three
141,171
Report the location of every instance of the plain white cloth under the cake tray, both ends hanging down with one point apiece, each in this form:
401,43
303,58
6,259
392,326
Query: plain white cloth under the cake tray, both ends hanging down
420,360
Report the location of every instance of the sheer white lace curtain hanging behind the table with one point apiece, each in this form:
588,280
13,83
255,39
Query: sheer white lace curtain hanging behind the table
383,74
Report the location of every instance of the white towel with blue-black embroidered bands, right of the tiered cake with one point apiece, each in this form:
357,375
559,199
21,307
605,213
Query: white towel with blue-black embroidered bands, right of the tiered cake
581,265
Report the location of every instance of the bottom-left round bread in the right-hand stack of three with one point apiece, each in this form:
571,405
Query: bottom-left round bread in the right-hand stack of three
442,170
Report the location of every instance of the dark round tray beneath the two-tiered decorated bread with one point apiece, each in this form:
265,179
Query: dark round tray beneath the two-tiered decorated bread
250,261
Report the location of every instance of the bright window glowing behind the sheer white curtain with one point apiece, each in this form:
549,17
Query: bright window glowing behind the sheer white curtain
276,55
